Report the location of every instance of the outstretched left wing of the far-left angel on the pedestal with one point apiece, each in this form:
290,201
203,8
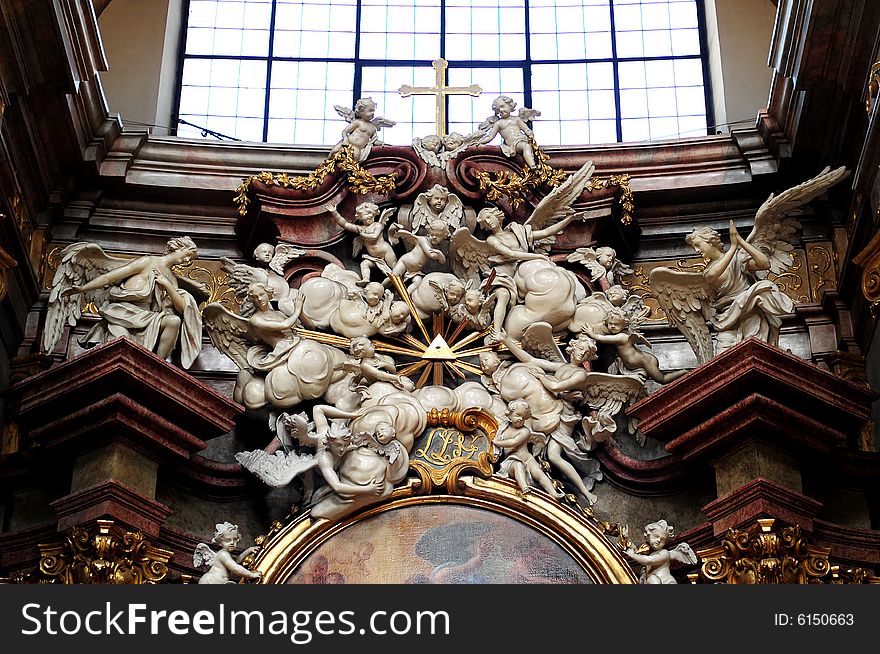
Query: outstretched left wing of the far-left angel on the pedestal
80,263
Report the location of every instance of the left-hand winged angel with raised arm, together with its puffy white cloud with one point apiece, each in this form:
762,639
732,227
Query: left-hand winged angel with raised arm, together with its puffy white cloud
277,367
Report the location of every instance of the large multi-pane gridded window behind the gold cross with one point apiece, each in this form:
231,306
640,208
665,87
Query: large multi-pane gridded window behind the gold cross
599,71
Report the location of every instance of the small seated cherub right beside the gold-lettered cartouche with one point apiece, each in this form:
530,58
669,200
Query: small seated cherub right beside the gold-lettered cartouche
515,437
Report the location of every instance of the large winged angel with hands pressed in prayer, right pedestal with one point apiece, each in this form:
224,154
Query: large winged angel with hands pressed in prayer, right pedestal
732,293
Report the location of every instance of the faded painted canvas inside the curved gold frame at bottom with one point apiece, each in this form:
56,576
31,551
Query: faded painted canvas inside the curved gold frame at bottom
439,544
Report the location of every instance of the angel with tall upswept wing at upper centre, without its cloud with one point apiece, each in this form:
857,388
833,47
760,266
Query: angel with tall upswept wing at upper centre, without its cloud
508,246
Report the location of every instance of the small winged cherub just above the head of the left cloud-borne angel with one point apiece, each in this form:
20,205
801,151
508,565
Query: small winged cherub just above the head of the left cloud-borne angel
275,258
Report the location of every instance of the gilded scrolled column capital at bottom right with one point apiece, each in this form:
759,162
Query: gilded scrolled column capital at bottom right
770,553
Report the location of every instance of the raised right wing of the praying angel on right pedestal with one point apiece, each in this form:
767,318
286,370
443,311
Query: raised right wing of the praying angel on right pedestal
774,230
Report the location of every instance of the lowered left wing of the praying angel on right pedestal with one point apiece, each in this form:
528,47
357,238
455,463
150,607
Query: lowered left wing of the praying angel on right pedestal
686,299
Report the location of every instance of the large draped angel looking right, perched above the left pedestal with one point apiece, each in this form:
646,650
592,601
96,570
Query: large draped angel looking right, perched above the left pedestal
139,298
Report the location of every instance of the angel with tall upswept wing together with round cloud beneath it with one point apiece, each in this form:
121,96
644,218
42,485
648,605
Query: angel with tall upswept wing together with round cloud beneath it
513,255
